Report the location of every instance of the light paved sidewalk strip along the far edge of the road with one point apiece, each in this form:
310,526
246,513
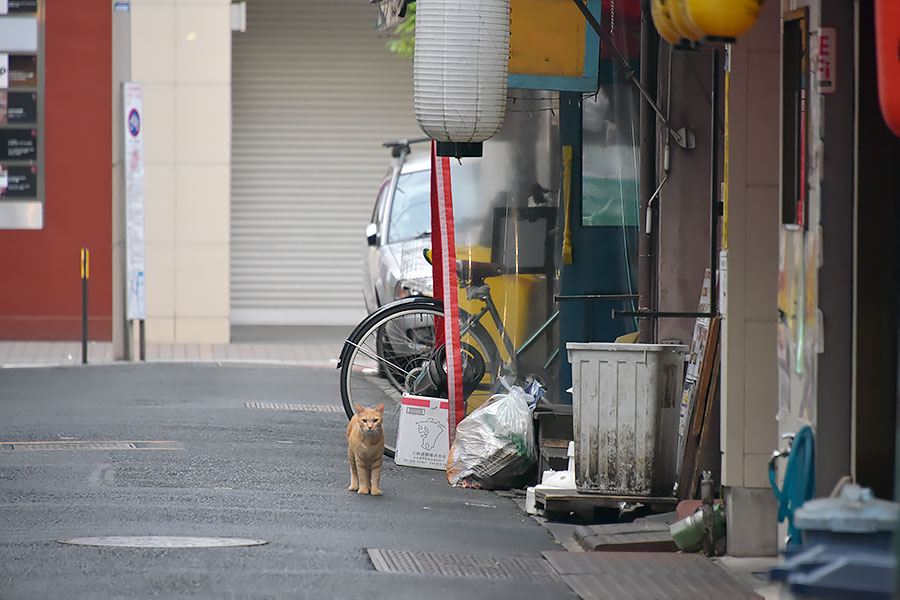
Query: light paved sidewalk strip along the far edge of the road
309,347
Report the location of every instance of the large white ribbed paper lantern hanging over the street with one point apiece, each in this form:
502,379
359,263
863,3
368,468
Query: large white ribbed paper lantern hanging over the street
460,69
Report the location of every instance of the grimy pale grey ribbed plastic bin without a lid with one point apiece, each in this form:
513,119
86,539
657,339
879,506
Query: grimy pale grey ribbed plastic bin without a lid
626,407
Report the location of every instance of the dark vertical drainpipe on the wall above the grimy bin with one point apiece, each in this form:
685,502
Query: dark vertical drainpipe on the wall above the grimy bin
647,176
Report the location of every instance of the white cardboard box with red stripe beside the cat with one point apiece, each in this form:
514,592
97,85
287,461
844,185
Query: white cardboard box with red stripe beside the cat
423,437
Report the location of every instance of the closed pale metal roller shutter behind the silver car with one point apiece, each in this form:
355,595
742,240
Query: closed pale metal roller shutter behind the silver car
314,95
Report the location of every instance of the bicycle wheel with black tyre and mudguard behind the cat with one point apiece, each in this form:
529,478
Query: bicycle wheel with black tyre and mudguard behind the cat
389,350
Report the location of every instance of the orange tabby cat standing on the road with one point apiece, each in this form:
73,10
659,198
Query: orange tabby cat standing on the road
365,447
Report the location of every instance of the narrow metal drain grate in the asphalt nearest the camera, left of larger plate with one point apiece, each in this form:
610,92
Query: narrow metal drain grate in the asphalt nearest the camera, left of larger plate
462,565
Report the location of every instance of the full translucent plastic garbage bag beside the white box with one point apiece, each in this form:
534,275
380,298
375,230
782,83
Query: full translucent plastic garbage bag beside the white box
494,446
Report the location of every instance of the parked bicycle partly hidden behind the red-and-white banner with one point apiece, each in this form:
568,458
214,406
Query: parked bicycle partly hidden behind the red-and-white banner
393,351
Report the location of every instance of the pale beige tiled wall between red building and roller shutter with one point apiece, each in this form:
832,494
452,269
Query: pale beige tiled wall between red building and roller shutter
181,53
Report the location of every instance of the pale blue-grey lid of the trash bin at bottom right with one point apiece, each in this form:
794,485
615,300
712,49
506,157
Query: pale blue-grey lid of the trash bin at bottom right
856,510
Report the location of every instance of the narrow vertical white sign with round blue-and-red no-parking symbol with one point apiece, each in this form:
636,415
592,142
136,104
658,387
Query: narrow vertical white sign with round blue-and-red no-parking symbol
134,200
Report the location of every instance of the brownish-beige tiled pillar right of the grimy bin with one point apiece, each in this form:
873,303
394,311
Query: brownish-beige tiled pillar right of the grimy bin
749,376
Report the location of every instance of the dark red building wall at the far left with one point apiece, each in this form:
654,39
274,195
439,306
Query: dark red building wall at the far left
40,278
